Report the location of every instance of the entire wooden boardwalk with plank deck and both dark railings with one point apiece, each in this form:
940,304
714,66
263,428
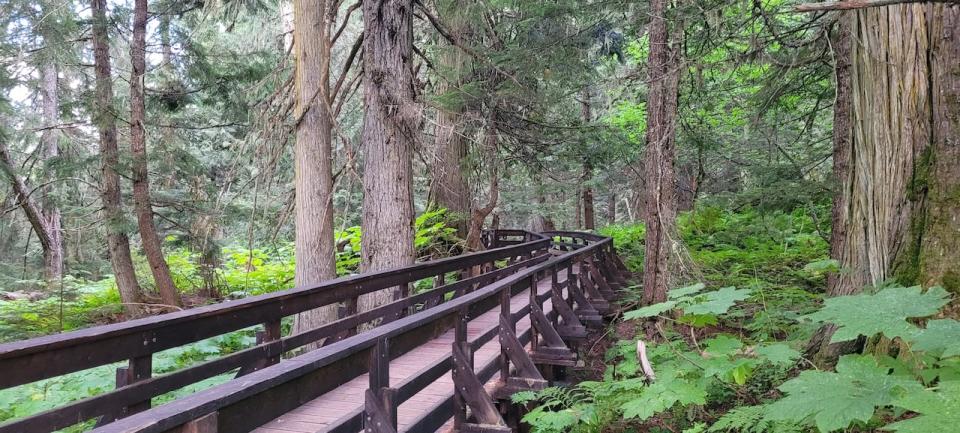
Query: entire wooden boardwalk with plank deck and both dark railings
413,385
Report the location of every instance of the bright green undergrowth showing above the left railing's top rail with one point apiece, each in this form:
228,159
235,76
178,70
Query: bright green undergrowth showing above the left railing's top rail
242,272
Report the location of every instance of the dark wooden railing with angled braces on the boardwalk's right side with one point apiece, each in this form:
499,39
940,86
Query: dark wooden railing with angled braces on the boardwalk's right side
242,405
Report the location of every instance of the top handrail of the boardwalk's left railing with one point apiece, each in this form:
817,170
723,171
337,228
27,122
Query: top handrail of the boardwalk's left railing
54,355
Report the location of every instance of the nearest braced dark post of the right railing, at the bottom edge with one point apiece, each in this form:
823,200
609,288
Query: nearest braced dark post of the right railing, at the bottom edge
380,408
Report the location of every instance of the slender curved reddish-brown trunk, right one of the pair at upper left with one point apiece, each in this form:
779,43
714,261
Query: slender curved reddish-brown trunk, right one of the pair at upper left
152,246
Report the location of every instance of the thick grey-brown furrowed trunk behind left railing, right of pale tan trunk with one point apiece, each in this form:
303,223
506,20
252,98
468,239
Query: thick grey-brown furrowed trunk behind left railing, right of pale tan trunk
391,121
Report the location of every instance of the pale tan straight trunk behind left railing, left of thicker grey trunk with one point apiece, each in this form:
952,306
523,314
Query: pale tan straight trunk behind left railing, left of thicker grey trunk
313,159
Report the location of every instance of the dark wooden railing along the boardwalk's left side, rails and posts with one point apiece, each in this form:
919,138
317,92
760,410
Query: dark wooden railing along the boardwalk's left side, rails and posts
137,340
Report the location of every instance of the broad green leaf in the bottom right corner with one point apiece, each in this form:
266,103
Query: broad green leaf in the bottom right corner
939,410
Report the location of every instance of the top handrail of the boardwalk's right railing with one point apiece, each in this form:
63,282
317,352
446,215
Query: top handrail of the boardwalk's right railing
174,414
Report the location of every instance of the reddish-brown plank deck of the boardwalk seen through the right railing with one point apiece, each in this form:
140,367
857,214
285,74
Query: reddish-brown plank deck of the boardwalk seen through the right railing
315,415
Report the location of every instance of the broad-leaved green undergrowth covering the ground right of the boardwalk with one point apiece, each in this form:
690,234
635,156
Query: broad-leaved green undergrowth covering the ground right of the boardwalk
727,353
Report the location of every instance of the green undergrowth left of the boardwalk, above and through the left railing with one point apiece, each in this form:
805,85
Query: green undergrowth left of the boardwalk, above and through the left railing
242,272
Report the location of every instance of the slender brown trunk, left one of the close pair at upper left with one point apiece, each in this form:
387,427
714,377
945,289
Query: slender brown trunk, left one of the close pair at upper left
118,243
